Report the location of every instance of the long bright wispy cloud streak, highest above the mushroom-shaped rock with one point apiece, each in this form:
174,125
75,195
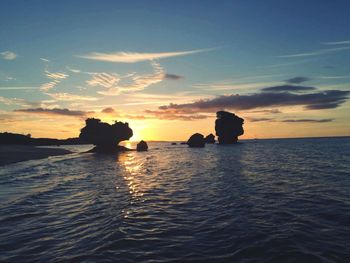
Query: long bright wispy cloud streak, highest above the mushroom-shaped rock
132,57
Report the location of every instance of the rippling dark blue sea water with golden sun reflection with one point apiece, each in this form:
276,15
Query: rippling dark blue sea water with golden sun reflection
257,201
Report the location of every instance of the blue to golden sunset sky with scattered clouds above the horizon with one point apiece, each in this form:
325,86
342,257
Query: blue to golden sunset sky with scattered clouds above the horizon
167,67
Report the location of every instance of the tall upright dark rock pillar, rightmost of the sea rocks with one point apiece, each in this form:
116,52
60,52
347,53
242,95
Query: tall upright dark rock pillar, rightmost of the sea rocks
228,127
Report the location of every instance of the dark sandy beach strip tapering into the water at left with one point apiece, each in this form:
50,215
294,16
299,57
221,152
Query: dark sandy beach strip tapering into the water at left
19,153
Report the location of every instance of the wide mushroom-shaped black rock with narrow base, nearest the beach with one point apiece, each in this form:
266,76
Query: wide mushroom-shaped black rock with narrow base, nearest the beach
105,136
